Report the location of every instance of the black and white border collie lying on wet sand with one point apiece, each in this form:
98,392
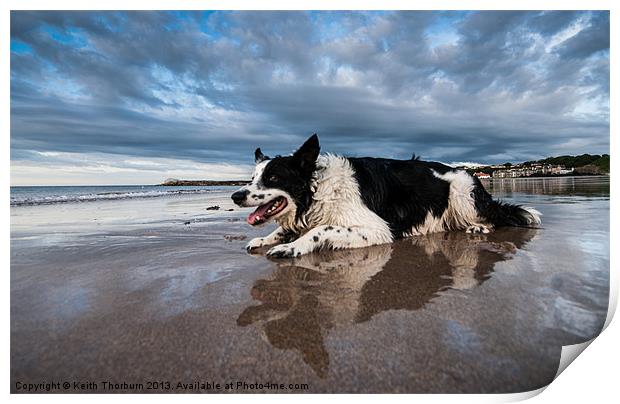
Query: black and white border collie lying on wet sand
331,201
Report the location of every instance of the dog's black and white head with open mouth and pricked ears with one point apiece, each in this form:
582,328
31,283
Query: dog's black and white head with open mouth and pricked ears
280,186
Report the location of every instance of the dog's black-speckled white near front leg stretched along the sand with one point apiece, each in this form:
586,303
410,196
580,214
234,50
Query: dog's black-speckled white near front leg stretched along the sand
333,237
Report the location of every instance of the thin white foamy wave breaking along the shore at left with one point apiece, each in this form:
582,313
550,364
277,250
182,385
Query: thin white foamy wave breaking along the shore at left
103,196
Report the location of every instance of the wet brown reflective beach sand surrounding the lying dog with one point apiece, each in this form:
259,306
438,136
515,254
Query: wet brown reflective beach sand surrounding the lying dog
144,297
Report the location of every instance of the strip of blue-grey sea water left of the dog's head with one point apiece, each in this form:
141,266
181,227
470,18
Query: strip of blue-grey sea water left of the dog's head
45,195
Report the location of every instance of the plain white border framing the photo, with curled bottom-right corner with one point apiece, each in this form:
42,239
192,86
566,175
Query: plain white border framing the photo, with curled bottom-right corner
593,377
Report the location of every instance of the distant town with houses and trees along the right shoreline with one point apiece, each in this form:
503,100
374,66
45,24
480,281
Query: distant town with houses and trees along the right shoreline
585,164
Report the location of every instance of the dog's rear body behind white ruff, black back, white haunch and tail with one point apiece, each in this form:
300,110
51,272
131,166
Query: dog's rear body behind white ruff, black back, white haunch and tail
419,197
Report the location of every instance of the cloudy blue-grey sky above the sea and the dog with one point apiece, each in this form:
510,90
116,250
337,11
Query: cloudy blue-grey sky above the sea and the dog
136,97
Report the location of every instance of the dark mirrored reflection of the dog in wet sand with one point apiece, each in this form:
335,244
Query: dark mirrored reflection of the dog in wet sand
308,295
